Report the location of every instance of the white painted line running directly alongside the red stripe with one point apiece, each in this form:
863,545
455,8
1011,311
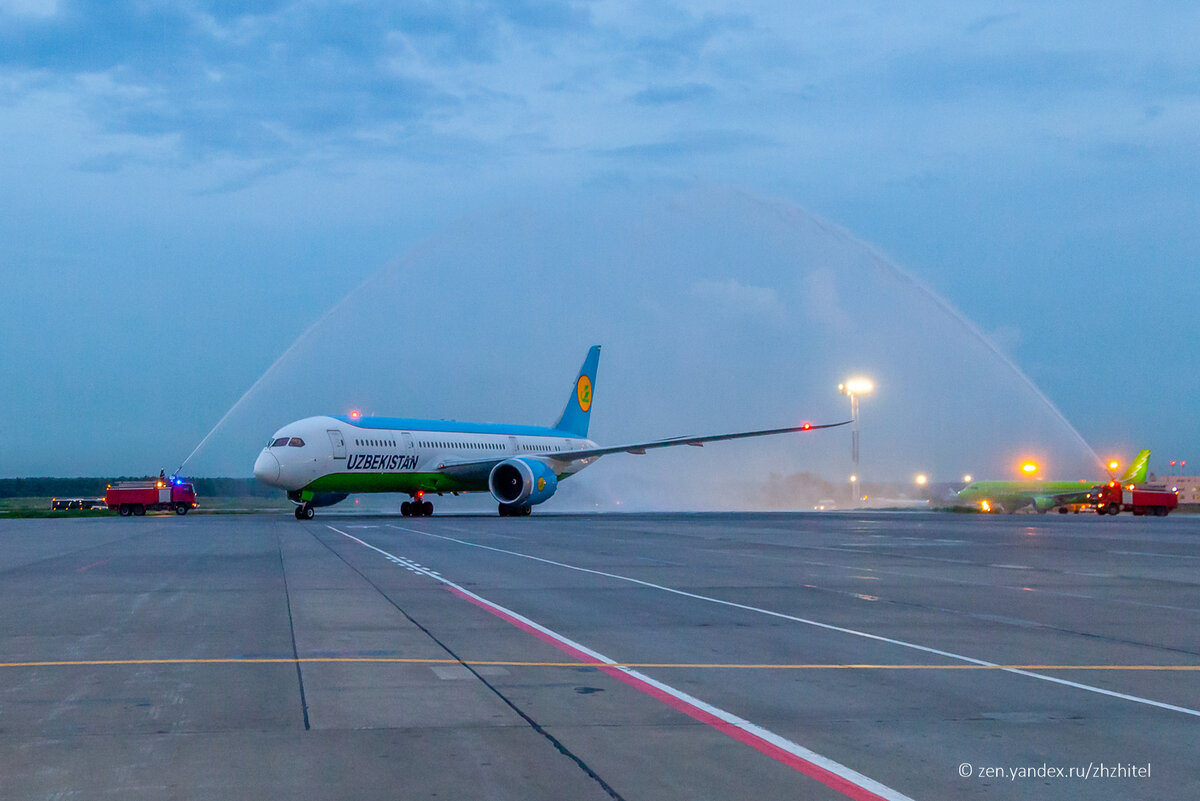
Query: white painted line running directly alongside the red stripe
832,774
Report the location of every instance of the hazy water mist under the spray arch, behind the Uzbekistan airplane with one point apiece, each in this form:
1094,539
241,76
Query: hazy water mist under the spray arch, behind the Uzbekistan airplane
490,320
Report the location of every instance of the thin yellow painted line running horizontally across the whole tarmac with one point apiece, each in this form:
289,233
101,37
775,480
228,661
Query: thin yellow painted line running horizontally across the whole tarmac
511,664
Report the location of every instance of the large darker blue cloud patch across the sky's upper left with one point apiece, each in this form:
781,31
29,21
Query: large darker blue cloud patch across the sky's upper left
269,80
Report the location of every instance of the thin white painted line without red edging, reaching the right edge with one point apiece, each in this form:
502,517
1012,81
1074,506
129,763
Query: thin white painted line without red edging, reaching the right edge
950,655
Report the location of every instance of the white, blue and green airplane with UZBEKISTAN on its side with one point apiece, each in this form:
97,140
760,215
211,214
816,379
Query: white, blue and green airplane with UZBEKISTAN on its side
320,461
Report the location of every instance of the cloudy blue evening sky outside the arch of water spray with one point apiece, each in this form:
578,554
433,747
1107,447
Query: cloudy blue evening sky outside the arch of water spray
207,179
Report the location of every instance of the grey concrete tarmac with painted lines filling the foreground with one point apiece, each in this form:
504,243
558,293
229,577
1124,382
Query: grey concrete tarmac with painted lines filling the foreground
665,657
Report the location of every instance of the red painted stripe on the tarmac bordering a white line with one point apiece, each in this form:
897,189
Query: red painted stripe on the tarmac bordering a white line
809,769
